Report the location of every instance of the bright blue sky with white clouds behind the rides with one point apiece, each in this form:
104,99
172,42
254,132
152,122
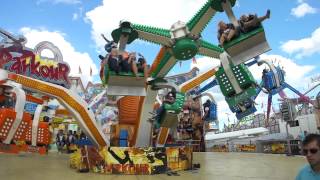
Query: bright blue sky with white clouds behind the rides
293,32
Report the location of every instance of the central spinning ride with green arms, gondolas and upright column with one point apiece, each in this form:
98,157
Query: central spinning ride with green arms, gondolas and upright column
182,42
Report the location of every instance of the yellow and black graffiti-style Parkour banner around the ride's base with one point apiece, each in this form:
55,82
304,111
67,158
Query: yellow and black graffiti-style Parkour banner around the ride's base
130,160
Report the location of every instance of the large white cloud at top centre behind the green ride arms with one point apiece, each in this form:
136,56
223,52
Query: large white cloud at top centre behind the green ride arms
106,17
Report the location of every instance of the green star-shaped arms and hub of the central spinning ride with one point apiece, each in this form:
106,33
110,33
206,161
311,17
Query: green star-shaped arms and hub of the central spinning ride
165,36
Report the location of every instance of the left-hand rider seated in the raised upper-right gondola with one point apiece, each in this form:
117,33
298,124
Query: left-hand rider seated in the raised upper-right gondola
226,32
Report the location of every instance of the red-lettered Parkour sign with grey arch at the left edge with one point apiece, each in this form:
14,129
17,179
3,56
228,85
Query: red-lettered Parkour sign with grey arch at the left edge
16,58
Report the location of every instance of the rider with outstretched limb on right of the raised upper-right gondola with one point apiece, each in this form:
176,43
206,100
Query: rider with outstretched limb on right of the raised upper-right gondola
250,22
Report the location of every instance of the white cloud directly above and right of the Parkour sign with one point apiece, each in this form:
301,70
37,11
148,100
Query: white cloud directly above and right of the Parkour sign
70,54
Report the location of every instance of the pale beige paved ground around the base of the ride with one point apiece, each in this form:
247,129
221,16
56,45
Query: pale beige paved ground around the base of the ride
214,166
